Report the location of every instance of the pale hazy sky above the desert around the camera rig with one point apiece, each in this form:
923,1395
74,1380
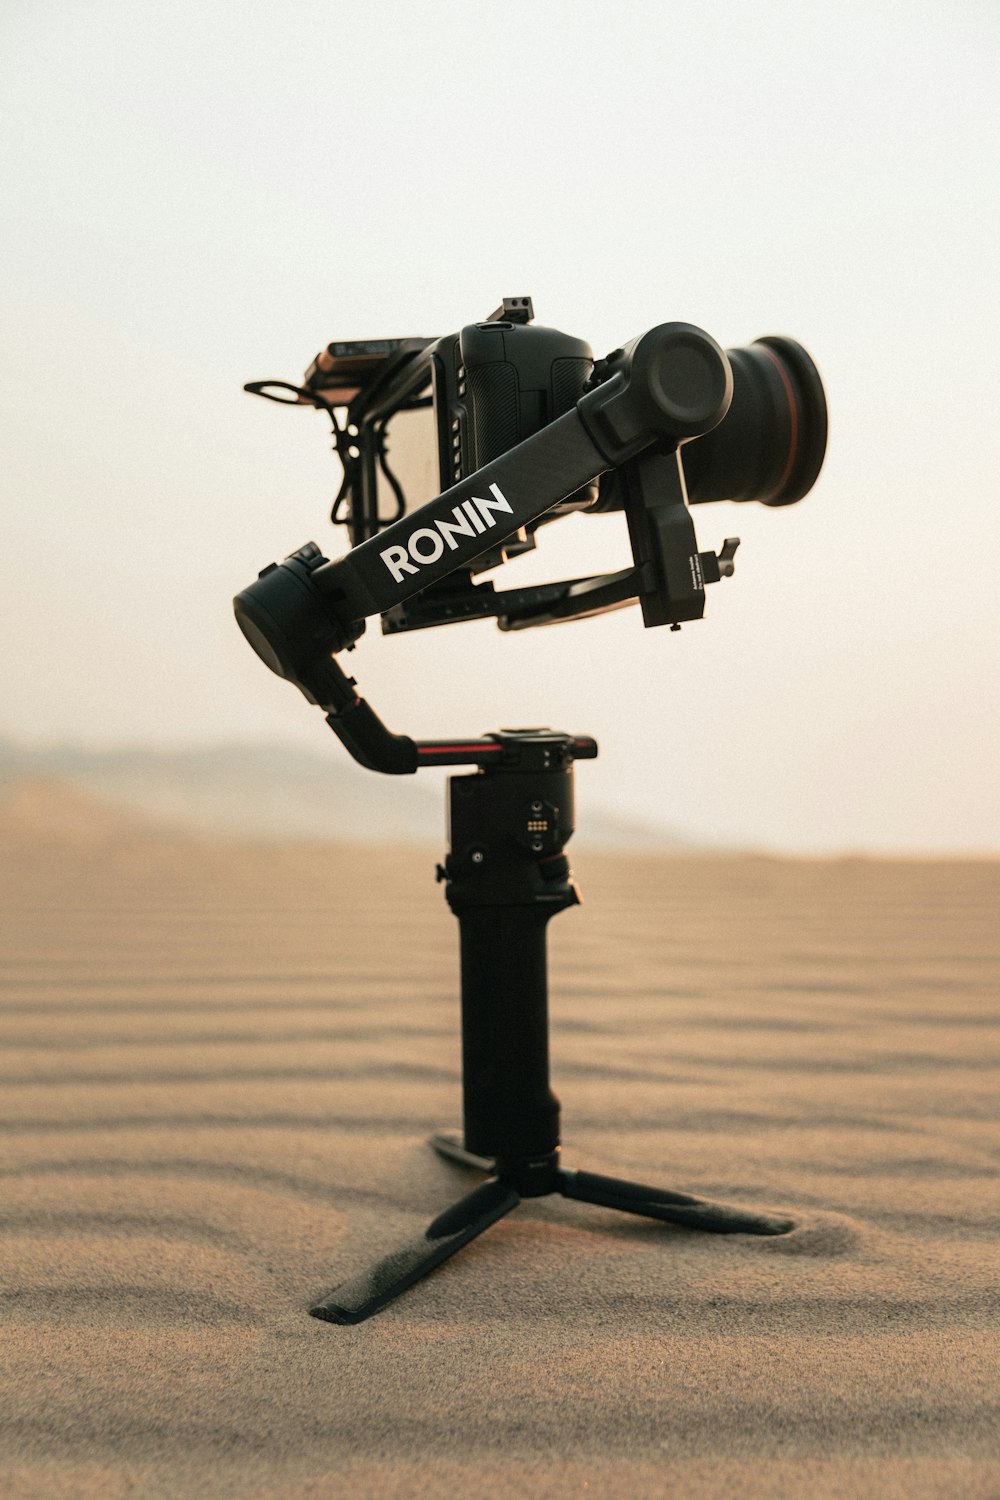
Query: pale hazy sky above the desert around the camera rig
203,194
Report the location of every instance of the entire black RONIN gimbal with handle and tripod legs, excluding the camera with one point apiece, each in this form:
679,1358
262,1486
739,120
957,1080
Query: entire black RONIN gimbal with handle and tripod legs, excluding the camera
507,872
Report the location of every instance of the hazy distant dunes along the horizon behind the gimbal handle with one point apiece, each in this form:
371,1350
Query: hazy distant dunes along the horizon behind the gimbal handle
271,793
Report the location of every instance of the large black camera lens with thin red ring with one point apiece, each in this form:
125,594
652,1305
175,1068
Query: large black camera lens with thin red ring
771,443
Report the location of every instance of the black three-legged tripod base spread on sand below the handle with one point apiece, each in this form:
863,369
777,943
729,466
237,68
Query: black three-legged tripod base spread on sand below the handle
464,1222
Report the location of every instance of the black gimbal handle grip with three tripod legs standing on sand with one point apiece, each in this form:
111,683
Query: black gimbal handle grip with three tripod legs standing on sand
507,875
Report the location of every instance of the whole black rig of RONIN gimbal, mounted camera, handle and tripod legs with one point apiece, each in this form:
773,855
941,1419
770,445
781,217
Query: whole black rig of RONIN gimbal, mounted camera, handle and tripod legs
525,424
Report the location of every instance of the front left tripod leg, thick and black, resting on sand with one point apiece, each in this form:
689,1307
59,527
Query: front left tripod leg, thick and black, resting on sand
359,1298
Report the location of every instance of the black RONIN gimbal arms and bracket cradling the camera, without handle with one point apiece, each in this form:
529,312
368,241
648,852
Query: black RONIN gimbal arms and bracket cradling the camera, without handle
656,394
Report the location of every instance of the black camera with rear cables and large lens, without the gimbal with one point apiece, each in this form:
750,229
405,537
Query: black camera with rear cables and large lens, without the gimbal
422,415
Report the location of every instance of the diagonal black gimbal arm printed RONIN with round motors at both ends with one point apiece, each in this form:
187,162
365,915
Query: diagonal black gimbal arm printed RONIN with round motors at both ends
665,388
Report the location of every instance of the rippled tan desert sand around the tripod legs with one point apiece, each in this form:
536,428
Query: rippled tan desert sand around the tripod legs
221,1067
